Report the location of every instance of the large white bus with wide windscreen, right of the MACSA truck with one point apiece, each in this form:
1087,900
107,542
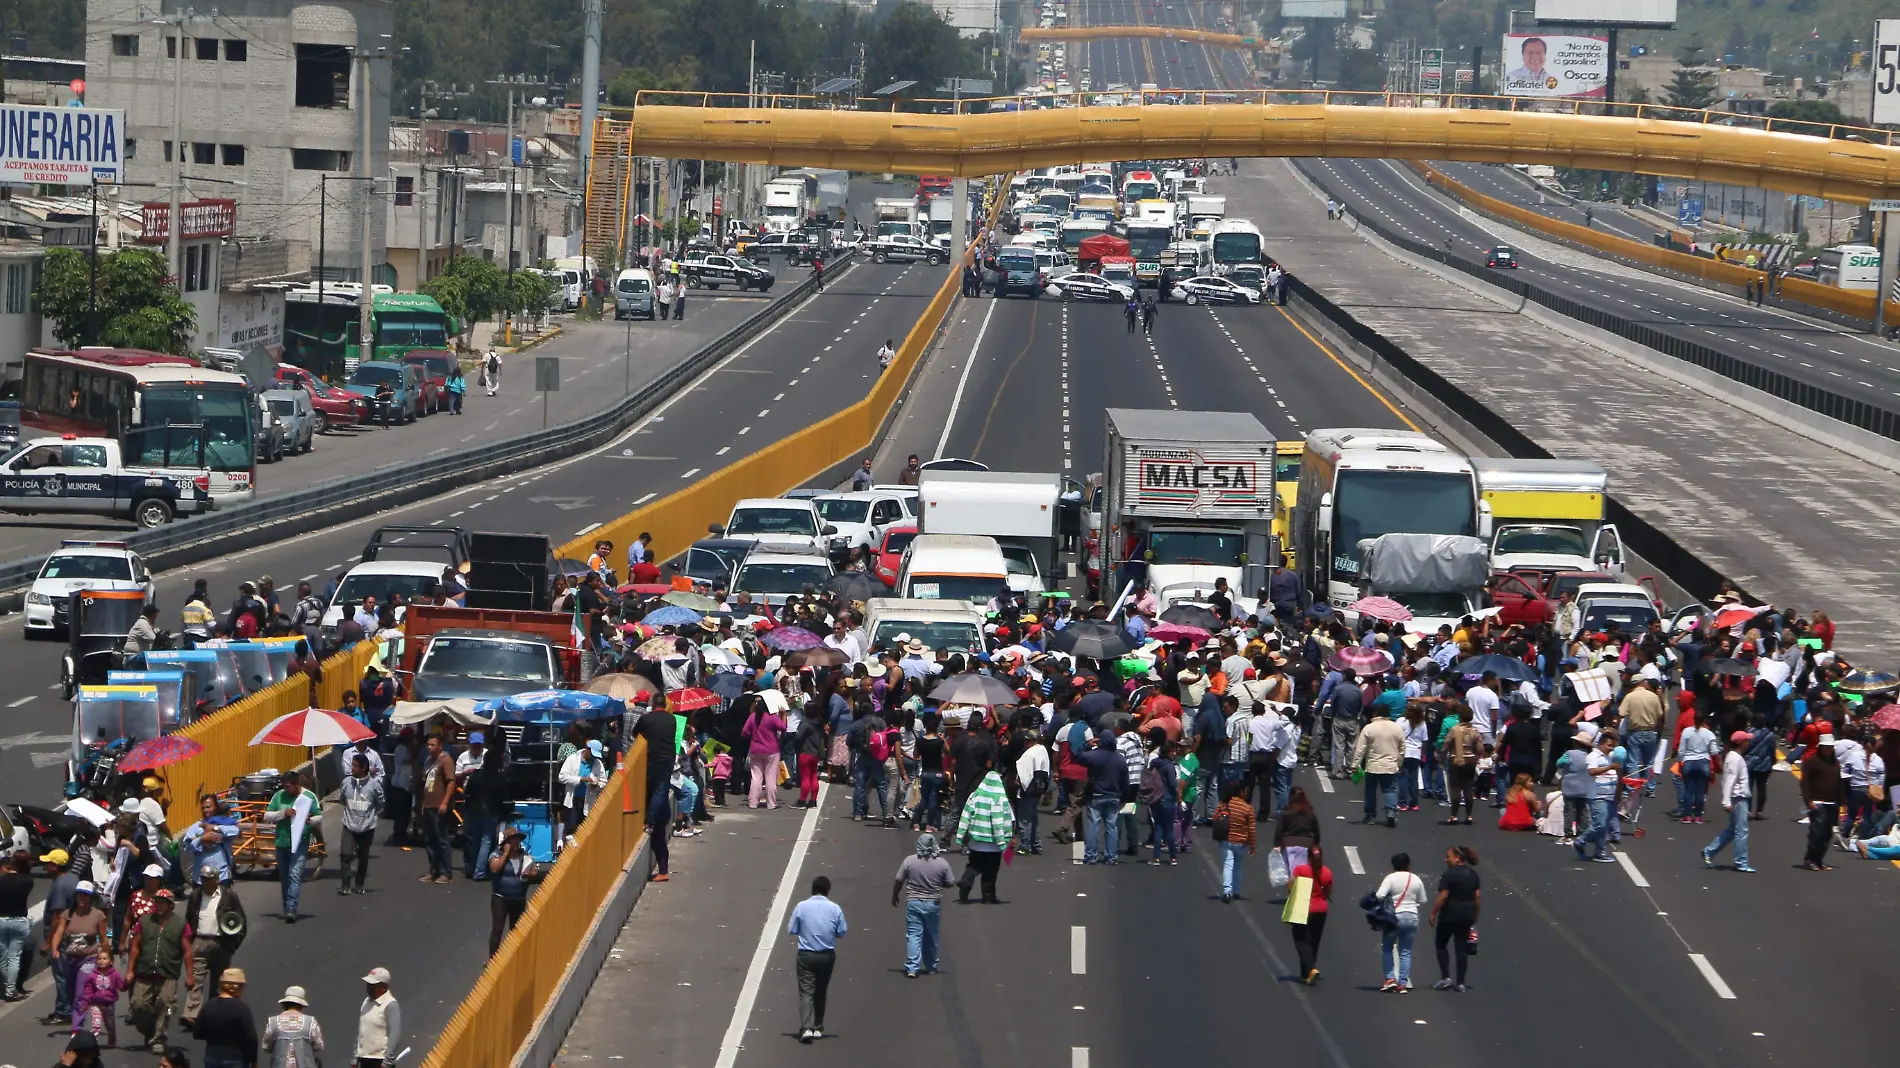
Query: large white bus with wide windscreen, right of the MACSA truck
1363,484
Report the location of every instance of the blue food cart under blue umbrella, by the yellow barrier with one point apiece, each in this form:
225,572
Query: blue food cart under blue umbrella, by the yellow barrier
533,727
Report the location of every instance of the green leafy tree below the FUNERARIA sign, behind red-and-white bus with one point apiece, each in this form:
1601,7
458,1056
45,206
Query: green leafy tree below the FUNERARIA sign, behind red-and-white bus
134,301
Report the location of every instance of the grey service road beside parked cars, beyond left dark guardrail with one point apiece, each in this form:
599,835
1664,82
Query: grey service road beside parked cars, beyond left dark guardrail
601,364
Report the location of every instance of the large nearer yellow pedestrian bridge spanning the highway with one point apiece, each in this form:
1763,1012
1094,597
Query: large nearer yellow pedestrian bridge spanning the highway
995,136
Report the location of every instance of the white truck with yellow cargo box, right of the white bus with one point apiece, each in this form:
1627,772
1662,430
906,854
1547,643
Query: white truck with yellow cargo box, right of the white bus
1548,516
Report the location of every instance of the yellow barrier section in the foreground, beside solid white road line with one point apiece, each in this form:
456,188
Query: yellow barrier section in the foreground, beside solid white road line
525,974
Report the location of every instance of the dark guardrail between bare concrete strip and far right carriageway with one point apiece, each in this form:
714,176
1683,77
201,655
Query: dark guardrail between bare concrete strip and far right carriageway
1821,400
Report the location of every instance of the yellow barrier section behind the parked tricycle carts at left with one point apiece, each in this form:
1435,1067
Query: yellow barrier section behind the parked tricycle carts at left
227,734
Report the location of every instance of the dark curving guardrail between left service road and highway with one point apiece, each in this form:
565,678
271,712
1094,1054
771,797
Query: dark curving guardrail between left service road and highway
341,501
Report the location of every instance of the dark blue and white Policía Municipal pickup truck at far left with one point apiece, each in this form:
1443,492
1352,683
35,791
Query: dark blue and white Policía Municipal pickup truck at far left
86,476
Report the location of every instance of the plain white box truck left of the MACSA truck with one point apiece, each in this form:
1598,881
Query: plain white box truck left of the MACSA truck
1017,508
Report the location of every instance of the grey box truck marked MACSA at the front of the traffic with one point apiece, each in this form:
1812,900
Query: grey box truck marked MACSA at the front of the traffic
1187,501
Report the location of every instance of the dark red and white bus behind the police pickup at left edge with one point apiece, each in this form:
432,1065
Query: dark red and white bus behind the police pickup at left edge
117,392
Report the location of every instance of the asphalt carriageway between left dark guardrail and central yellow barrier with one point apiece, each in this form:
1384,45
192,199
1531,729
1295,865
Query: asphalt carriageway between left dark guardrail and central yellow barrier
812,364
